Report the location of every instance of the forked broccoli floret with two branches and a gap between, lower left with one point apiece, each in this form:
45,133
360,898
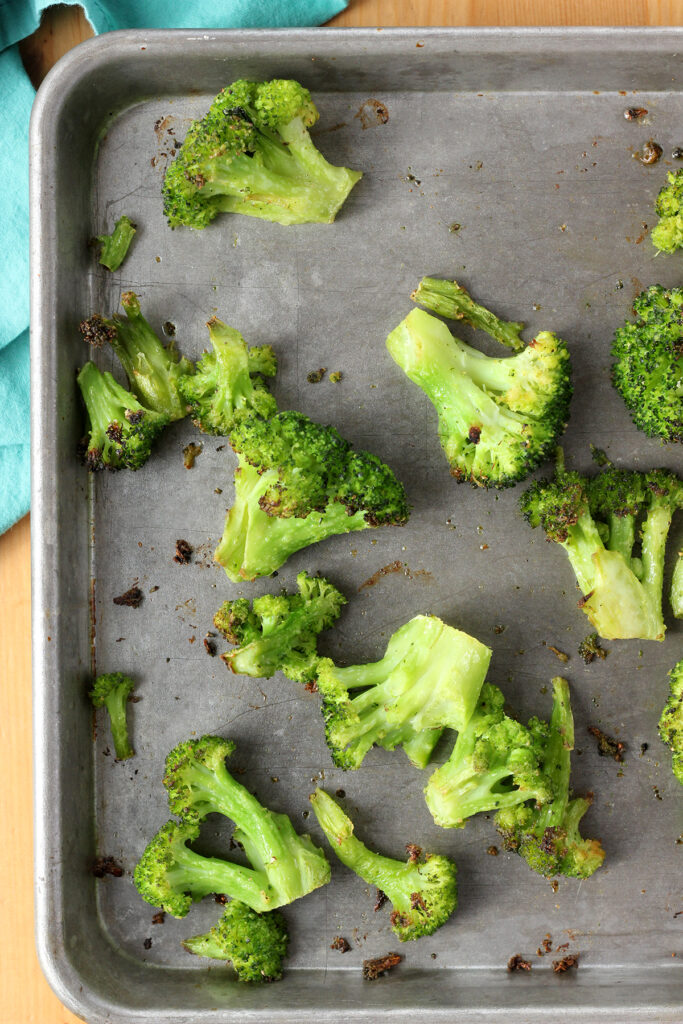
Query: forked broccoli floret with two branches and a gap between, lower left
169,875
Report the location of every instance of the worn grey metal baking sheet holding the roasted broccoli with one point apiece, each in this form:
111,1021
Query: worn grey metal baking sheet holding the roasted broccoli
520,138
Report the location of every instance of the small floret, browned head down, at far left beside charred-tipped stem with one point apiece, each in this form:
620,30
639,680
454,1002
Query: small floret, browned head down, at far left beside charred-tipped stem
121,431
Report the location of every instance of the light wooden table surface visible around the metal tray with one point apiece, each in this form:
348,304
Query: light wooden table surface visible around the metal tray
27,999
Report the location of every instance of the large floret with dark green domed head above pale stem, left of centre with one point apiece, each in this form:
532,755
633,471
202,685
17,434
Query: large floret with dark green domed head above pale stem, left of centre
300,483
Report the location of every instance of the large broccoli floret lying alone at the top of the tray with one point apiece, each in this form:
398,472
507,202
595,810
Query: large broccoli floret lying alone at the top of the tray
252,154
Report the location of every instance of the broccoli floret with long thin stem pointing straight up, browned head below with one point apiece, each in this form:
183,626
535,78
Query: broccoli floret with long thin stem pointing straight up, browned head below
548,837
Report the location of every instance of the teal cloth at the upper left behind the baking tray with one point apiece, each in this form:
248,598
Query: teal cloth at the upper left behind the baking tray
18,20
